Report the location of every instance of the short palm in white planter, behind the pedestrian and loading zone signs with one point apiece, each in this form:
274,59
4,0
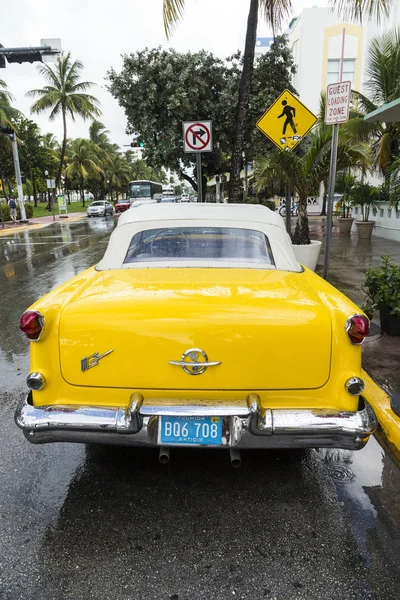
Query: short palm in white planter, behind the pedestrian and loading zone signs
305,173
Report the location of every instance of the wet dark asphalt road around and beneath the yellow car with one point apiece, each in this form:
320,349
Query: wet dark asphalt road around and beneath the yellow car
82,522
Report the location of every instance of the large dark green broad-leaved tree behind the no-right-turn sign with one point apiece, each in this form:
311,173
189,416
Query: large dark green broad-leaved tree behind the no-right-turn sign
175,87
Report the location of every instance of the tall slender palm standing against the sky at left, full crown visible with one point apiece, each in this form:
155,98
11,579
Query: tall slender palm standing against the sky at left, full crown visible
65,95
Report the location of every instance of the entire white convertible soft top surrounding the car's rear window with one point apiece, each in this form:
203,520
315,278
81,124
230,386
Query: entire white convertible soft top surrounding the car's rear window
168,215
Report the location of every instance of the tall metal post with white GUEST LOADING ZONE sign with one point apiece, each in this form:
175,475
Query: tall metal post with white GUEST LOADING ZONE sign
336,112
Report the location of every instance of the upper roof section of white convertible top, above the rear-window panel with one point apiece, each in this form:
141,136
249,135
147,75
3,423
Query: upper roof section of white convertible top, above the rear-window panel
233,212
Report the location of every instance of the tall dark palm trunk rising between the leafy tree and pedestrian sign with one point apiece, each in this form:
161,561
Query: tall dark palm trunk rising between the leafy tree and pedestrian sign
243,103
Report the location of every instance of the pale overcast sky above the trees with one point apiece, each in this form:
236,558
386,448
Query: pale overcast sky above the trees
99,31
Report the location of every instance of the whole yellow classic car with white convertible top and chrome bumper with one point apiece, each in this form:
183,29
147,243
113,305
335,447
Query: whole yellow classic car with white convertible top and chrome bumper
197,328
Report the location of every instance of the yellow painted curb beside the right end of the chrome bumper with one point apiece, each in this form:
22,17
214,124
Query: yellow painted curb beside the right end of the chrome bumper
380,402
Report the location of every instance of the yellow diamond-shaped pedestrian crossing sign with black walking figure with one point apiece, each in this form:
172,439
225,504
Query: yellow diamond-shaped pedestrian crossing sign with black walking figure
286,122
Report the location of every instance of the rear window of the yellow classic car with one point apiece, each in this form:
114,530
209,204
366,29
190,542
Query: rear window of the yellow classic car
199,244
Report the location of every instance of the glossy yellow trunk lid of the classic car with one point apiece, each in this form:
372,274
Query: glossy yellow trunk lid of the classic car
267,329
